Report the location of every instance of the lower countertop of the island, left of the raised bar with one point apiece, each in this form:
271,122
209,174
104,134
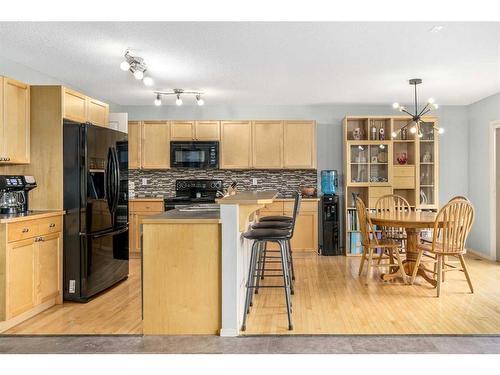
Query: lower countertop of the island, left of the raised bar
183,216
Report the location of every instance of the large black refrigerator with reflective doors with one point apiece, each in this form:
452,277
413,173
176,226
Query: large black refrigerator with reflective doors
96,205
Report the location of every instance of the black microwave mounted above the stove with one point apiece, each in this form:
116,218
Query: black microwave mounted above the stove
194,154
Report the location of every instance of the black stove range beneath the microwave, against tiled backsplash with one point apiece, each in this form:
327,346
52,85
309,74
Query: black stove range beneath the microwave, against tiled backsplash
194,191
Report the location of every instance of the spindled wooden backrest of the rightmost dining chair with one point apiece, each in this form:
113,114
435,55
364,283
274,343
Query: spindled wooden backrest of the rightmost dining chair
452,226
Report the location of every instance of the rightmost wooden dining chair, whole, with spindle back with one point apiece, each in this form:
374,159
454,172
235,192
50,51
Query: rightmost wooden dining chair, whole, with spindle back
451,228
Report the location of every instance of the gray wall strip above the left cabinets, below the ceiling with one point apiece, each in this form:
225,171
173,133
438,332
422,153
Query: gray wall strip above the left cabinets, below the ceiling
30,76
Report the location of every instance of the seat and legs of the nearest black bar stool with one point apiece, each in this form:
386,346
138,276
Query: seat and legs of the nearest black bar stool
260,237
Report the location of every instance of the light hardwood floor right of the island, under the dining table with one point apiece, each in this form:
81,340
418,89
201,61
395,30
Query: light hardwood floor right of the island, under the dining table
330,298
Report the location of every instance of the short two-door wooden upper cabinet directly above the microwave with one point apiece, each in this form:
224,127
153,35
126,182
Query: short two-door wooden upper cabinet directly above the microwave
194,131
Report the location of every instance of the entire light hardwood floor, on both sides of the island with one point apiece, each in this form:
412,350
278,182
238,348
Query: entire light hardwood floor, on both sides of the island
329,298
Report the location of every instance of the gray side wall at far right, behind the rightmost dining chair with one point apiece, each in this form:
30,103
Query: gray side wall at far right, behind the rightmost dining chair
480,115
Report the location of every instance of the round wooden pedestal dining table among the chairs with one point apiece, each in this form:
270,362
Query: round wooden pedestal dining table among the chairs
413,223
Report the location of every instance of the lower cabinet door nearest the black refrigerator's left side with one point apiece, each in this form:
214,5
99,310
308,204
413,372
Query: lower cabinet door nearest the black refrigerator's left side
48,267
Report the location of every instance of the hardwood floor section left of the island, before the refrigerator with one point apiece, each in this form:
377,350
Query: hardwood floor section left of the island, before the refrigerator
116,311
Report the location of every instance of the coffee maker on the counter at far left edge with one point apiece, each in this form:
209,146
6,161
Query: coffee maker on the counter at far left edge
14,193
